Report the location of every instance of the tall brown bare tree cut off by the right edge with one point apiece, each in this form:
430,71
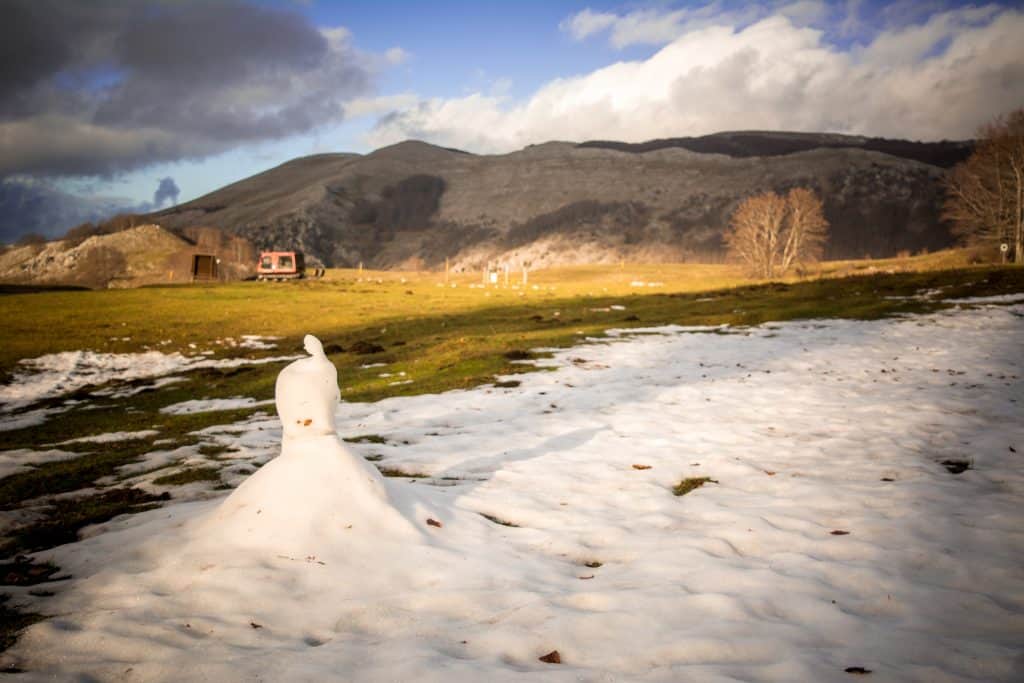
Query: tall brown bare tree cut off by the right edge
986,194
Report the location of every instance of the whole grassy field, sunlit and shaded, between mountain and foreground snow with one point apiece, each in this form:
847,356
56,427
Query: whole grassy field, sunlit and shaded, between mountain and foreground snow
441,335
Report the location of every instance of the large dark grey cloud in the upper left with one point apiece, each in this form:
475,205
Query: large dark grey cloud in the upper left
104,88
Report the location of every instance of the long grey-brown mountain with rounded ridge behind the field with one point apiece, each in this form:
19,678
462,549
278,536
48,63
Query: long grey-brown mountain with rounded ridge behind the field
414,205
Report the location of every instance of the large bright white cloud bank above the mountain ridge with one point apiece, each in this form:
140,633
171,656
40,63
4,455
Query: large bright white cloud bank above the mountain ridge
941,79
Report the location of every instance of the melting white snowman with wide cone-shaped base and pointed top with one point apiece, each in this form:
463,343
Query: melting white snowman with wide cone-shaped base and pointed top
317,490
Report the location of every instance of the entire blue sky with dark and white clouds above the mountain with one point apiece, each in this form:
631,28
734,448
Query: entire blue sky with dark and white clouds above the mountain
144,104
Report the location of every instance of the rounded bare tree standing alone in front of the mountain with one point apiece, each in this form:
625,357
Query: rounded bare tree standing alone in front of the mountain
771,234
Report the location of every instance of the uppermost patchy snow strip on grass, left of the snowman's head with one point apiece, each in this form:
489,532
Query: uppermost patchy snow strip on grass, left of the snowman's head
61,374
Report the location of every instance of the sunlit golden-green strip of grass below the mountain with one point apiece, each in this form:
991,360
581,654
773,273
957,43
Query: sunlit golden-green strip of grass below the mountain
350,304
